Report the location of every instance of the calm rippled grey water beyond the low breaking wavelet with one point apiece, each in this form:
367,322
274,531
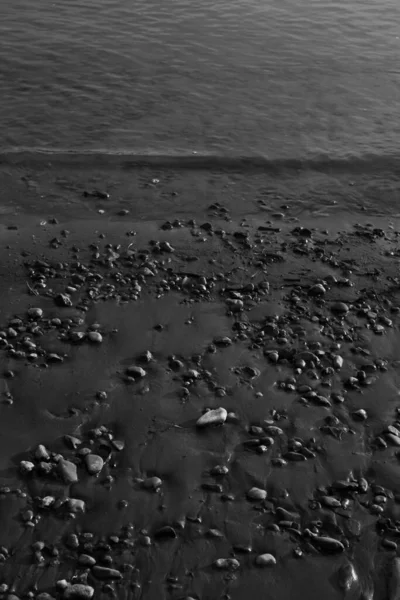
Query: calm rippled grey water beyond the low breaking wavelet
286,78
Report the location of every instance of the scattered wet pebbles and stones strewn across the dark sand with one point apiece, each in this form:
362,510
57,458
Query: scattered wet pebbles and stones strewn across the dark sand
322,376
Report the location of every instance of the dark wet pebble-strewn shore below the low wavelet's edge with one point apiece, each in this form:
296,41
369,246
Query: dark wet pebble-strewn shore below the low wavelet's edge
199,383
